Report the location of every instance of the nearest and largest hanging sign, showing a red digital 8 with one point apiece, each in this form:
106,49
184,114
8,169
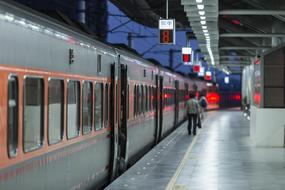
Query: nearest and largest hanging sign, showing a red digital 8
167,31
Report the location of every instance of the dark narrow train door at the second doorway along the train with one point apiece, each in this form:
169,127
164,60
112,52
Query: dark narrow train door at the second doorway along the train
159,107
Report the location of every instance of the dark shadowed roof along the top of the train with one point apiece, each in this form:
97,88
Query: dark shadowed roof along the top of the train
59,20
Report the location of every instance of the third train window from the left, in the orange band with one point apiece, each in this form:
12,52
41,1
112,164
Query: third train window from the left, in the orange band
55,110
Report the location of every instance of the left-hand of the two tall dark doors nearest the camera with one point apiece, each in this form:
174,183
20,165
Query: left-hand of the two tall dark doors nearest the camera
113,122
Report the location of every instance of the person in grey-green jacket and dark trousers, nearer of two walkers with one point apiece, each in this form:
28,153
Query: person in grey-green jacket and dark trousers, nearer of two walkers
192,113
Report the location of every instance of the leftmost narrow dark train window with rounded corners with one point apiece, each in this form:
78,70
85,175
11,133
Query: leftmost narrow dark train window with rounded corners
13,107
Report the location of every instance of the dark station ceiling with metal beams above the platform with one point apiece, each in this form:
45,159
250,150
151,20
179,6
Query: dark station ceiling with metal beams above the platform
239,29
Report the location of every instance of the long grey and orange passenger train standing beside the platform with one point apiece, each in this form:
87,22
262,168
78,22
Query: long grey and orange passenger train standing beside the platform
76,112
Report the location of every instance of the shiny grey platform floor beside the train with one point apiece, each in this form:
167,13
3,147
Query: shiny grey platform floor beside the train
220,157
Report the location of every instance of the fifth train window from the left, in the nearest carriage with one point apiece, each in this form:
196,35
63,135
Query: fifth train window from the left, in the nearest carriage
87,107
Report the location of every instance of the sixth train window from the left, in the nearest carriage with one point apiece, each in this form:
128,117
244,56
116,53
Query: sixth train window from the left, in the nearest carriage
98,112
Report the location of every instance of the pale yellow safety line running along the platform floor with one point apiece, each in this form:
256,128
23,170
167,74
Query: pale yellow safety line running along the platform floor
171,183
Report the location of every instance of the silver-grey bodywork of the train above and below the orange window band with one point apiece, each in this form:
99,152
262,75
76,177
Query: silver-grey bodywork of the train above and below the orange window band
32,41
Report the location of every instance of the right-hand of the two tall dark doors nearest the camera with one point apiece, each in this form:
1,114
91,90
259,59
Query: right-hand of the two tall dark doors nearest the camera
123,116
